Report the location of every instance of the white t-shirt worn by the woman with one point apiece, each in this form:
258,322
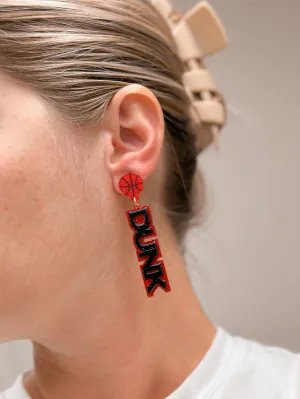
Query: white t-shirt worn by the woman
233,368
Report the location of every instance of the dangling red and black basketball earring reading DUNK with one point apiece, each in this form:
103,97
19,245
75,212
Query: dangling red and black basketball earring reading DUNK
144,238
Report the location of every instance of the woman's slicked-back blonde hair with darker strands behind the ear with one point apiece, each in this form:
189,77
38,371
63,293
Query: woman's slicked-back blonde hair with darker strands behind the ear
79,53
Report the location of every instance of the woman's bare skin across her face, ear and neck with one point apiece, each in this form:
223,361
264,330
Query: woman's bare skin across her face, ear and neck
69,277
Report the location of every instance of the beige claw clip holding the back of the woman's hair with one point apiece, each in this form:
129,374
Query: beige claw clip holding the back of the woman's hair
197,34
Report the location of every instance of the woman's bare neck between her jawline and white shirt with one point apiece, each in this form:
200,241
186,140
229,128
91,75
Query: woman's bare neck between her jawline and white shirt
110,340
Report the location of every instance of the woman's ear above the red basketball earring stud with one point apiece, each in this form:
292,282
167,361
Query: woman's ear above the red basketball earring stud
135,121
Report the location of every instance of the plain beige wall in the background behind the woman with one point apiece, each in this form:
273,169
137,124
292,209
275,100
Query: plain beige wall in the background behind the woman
244,260
